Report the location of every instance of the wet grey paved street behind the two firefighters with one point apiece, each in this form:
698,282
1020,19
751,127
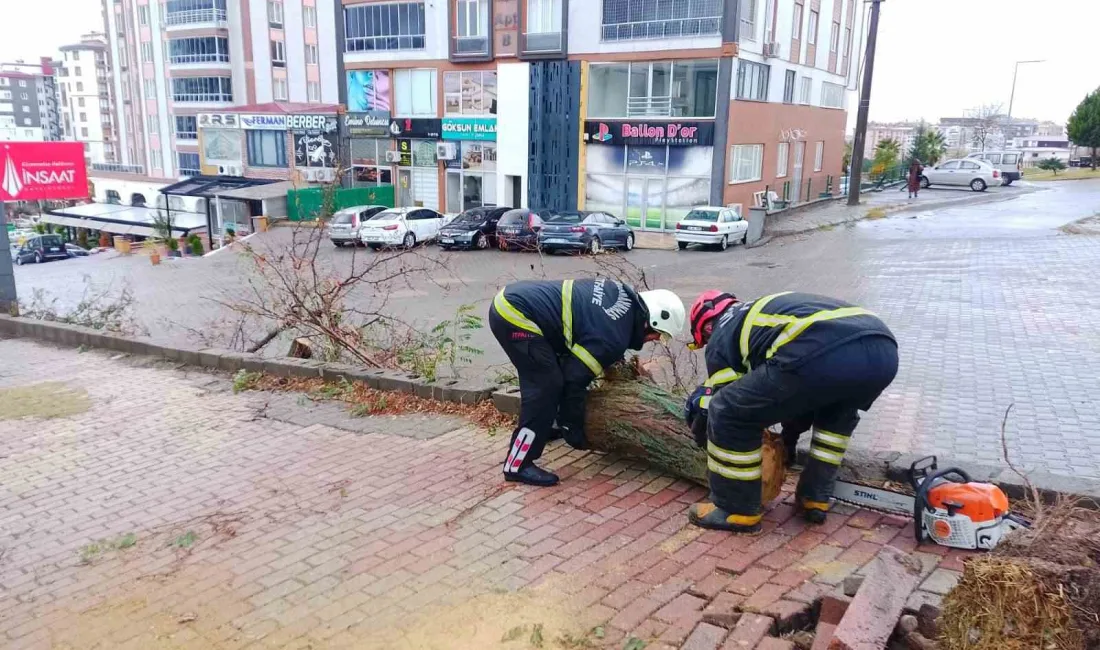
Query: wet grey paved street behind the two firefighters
993,305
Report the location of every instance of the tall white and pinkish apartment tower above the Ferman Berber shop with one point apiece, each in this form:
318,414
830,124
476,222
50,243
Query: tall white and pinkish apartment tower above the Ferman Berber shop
178,60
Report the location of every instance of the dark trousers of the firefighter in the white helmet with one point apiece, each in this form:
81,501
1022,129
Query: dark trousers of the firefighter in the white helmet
543,390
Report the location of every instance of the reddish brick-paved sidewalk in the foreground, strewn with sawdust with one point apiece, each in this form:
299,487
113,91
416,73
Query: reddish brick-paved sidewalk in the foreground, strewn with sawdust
174,514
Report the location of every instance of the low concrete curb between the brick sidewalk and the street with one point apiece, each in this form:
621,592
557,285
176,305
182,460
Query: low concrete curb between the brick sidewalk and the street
870,467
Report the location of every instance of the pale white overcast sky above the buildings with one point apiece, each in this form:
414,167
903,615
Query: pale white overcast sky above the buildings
936,58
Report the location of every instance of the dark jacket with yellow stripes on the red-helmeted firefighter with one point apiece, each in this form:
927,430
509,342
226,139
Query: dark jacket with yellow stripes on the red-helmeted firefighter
787,329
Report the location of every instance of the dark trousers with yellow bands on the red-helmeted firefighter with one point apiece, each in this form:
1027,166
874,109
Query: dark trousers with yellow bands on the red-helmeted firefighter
831,390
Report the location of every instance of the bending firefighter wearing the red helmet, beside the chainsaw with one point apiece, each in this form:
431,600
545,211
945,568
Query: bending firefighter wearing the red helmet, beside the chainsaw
787,358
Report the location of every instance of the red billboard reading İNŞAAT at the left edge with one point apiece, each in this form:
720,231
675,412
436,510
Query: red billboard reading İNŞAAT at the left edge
31,171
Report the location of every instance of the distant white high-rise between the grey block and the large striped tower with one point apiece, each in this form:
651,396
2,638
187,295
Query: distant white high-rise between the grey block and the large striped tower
87,102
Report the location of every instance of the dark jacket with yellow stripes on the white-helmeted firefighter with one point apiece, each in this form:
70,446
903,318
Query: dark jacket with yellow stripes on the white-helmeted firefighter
590,323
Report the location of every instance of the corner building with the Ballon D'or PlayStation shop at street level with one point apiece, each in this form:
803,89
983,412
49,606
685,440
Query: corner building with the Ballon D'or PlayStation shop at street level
654,109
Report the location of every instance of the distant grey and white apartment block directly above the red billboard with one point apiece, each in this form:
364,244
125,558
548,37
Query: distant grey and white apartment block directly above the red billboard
29,102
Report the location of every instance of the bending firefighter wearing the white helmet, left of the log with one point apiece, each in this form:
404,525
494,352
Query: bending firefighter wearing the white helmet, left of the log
560,335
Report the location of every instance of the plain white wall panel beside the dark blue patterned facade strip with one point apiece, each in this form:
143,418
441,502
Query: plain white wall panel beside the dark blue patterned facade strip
513,138
